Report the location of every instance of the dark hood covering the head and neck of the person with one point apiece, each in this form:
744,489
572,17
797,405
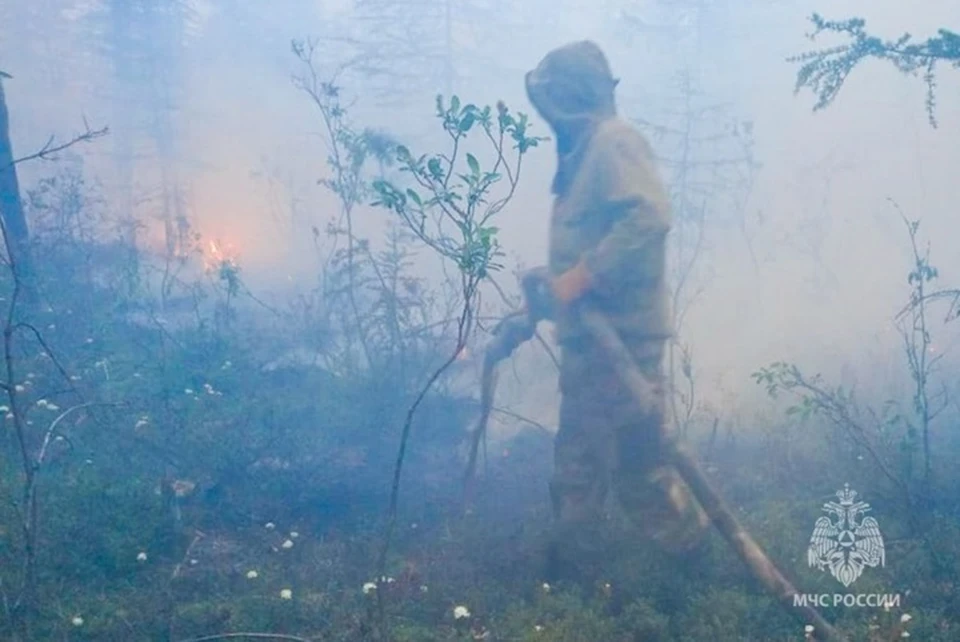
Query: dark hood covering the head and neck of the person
573,90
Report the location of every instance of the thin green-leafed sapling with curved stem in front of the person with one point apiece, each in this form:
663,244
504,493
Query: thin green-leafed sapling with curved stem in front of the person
449,204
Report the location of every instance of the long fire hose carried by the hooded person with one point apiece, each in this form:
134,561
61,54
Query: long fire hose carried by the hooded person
520,327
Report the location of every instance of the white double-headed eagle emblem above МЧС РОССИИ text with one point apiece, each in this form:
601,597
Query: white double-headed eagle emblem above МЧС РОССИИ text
849,544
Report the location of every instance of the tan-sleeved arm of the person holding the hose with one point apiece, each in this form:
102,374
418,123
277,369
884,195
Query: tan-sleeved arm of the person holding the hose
629,191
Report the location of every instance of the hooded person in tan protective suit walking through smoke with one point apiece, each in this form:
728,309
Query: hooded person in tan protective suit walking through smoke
608,232
